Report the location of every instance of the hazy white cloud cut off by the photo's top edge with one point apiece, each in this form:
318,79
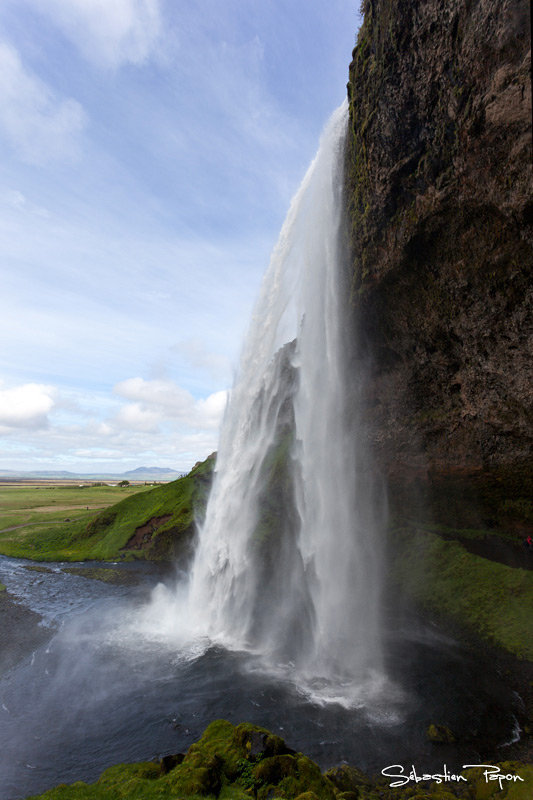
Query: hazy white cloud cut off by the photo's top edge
108,32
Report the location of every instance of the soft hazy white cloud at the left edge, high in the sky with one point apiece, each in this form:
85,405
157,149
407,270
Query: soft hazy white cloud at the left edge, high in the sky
39,125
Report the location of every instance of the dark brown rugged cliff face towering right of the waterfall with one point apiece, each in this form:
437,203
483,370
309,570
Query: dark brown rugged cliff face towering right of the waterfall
440,227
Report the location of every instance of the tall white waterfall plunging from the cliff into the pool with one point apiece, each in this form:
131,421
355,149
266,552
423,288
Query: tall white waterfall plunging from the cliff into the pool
286,563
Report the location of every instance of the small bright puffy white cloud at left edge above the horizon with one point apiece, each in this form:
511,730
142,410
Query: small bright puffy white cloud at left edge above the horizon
26,406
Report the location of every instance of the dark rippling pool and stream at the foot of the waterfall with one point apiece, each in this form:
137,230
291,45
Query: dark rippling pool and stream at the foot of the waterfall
106,689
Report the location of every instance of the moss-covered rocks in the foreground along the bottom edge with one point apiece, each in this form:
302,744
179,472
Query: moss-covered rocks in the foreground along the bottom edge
239,762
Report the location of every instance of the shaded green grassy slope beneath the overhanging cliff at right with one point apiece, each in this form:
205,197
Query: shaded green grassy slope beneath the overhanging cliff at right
491,598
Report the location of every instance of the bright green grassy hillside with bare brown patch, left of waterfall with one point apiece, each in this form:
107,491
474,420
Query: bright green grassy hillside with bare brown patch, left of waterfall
157,524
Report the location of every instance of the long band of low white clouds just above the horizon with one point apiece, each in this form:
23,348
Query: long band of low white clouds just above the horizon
44,427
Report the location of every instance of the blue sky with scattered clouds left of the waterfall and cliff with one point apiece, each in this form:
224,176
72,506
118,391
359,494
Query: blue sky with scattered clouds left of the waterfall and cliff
149,150
